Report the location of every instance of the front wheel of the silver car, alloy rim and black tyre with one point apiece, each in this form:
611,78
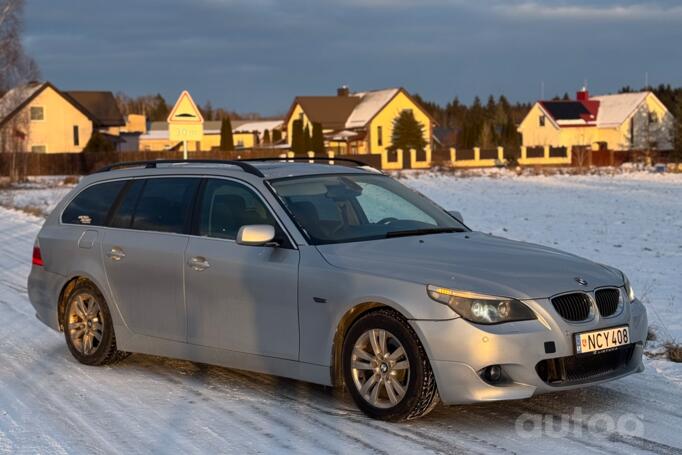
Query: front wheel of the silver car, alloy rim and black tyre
386,368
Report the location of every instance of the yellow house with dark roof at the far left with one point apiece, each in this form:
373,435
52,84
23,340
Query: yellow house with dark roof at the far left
40,118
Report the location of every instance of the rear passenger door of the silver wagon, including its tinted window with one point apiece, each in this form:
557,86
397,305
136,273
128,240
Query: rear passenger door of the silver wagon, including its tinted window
143,252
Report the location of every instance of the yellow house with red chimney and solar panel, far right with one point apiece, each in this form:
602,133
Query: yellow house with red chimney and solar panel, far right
625,121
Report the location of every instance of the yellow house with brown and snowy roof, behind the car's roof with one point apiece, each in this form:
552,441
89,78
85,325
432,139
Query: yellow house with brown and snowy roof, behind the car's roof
362,122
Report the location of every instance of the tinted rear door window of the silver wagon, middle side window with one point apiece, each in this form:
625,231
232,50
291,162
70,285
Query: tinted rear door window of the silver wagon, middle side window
165,204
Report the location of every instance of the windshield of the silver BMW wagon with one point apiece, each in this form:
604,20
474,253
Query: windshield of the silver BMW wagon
350,208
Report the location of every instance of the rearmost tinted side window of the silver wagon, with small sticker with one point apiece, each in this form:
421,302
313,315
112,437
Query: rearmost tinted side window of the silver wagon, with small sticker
92,205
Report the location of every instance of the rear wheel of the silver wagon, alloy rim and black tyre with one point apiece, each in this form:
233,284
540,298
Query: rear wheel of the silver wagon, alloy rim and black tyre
88,328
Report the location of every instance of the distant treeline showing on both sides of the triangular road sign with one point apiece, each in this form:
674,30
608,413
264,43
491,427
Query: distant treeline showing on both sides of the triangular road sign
156,108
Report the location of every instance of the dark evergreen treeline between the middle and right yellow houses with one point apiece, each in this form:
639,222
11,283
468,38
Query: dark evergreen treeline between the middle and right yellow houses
478,125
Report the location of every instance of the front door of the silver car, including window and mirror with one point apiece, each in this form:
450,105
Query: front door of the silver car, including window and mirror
240,298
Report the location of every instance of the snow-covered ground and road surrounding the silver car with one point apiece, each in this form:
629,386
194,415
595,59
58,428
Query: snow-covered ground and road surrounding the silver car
51,404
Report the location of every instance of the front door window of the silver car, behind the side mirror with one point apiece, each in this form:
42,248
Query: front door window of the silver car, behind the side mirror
227,206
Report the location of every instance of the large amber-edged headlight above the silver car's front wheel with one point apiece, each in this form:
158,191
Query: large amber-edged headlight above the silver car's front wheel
481,309
